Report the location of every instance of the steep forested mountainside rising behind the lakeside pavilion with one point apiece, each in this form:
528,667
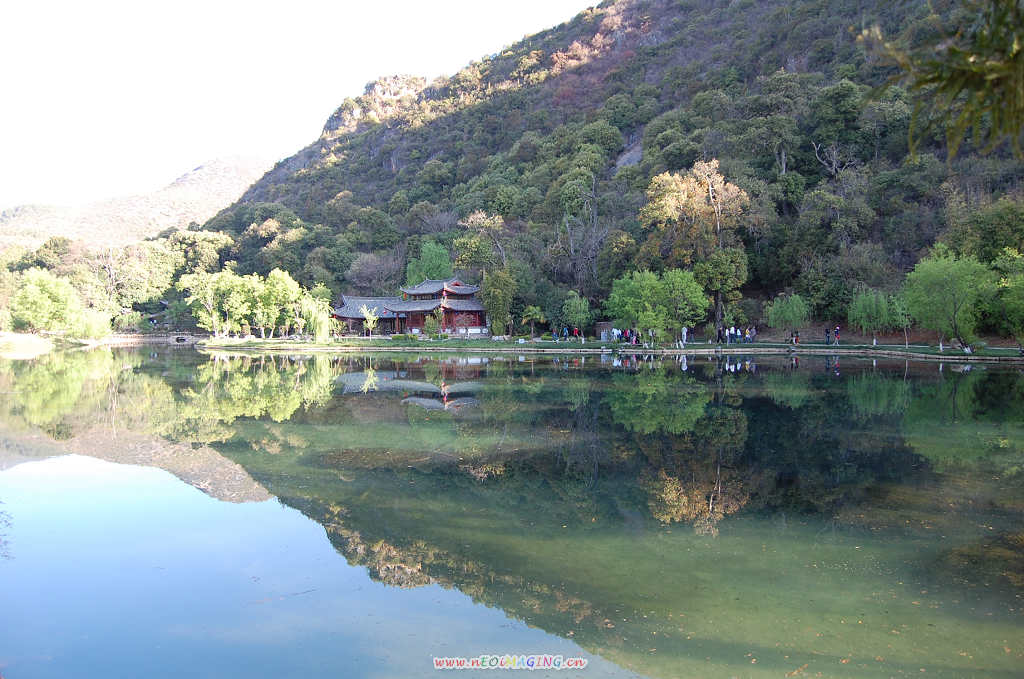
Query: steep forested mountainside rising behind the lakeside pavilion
578,156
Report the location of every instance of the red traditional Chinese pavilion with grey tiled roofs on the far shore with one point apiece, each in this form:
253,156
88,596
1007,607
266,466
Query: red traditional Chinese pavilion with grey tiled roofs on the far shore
461,313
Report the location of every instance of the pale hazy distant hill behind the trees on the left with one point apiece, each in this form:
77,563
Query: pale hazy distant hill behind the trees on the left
195,197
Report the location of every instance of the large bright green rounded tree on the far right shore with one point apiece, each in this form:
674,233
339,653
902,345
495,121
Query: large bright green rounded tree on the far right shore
943,293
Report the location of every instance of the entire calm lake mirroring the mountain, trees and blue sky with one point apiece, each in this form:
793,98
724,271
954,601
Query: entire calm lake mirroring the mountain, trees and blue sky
170,514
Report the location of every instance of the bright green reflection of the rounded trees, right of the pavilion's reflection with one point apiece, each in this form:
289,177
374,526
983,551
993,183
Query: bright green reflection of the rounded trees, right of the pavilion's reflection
653,402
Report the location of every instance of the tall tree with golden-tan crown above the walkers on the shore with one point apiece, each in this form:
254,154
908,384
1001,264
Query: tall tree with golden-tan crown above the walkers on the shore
696,218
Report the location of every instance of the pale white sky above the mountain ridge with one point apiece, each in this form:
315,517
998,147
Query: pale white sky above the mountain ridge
111,98
